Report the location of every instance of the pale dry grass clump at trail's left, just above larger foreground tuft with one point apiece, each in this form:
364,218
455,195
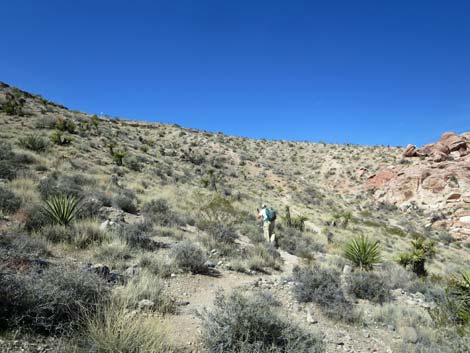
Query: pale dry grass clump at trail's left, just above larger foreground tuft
149,287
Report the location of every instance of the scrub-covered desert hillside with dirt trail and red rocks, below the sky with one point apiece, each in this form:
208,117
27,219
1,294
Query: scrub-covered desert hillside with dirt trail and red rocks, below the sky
124,236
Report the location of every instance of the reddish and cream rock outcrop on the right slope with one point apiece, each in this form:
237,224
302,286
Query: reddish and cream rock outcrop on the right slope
439,181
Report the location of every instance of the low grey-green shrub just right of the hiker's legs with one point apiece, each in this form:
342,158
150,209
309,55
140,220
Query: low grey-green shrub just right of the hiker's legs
297,243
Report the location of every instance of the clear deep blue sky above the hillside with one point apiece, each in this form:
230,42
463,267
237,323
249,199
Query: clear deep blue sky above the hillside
368,72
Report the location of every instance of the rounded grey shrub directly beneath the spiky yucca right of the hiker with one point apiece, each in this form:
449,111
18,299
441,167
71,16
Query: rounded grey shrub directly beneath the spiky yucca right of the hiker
368,285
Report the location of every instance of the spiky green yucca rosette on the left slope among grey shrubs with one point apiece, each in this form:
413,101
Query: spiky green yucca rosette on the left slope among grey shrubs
61,209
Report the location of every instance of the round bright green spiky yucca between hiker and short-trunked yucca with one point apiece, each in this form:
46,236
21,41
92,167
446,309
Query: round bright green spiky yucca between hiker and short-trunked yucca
363,252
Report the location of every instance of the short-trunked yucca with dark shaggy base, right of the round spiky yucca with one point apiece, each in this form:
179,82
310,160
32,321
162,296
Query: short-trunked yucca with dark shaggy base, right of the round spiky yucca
421,250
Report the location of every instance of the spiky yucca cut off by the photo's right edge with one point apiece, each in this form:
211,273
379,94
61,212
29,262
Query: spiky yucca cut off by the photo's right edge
458,292
